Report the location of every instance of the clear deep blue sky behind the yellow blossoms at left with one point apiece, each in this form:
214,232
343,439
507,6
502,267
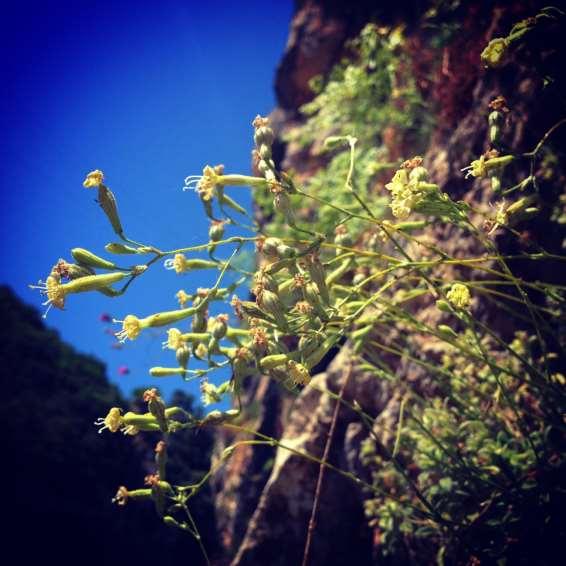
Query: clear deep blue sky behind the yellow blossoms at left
149,93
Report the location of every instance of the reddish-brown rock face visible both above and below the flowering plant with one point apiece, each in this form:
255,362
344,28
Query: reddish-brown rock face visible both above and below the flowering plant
264,504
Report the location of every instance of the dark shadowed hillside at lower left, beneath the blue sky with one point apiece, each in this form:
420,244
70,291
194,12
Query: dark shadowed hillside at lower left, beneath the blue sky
60,474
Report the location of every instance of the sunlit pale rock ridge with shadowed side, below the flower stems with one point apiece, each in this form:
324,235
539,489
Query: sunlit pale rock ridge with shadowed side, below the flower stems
284,507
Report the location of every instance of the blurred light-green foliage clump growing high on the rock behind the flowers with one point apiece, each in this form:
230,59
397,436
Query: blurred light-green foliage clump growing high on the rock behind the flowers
365,95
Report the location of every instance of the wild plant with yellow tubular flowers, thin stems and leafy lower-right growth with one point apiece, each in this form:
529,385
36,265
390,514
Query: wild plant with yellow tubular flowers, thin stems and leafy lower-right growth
456,456
